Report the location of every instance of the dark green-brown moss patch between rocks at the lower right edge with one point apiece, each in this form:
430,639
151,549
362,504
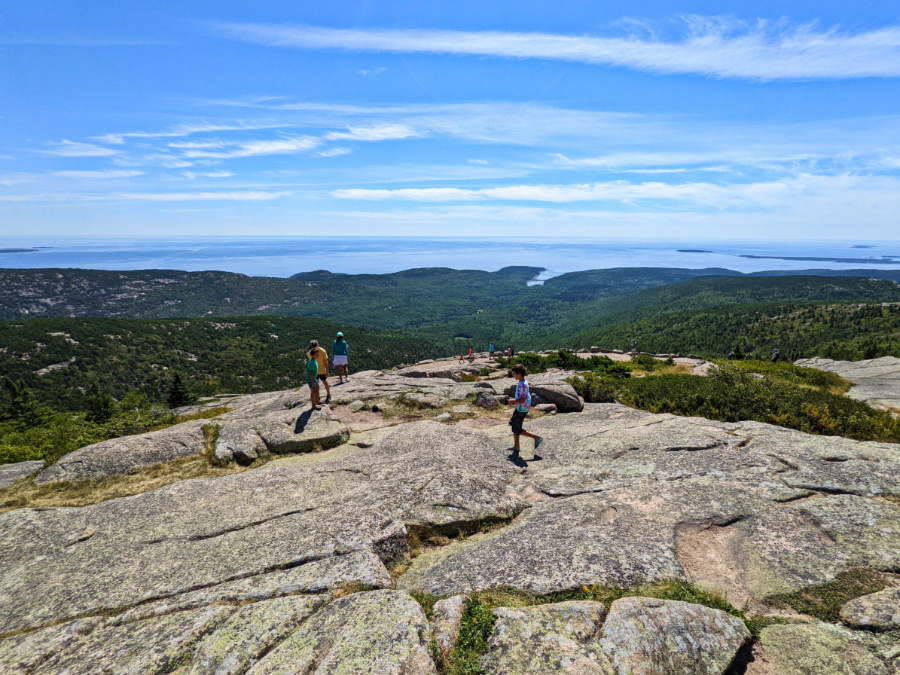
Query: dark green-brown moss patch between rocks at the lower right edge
824,601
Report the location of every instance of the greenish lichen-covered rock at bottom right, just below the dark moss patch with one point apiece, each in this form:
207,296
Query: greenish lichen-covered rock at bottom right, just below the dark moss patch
816,649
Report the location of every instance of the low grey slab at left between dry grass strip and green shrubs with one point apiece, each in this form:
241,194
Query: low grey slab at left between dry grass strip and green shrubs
118,456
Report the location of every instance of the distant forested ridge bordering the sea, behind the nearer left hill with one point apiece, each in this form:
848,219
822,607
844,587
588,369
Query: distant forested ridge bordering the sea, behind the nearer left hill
431,293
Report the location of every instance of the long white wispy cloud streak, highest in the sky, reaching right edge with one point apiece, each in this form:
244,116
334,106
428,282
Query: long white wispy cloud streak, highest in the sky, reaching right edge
710,47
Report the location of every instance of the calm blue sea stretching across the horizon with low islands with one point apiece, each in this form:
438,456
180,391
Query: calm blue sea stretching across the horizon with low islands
284,256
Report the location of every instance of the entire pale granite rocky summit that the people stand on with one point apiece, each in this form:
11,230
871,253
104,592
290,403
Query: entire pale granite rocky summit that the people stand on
364,537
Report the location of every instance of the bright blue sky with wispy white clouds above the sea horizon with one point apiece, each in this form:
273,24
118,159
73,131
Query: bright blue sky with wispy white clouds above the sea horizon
574,118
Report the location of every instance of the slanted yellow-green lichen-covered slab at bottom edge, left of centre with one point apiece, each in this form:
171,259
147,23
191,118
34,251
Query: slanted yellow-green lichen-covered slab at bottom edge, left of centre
249,634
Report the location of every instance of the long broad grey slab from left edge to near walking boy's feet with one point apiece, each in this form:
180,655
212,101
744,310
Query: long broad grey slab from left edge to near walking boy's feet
202,533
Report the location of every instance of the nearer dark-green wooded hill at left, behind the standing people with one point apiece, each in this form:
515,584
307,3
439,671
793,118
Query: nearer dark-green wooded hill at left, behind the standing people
59,359
